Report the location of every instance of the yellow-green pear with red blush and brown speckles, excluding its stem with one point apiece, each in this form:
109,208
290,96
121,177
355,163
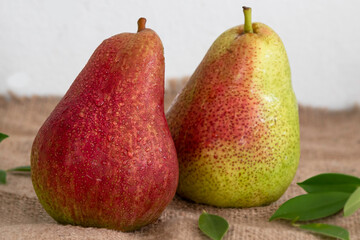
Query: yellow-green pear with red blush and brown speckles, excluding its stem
235,124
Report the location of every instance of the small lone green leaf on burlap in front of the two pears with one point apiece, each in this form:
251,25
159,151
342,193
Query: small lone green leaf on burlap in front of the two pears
213,226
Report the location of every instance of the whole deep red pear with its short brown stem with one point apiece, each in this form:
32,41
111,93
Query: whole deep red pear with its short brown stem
105,156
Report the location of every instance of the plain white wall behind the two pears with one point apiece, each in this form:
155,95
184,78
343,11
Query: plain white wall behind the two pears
45,44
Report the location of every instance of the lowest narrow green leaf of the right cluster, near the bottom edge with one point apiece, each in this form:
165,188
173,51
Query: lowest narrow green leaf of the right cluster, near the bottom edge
327,230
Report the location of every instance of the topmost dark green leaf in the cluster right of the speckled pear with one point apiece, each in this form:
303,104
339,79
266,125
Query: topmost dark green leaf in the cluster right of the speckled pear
331,182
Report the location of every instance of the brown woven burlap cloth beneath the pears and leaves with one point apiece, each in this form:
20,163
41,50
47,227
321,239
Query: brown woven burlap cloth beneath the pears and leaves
330,142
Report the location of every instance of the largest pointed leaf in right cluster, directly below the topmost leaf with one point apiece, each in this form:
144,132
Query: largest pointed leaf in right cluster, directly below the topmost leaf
311,206
